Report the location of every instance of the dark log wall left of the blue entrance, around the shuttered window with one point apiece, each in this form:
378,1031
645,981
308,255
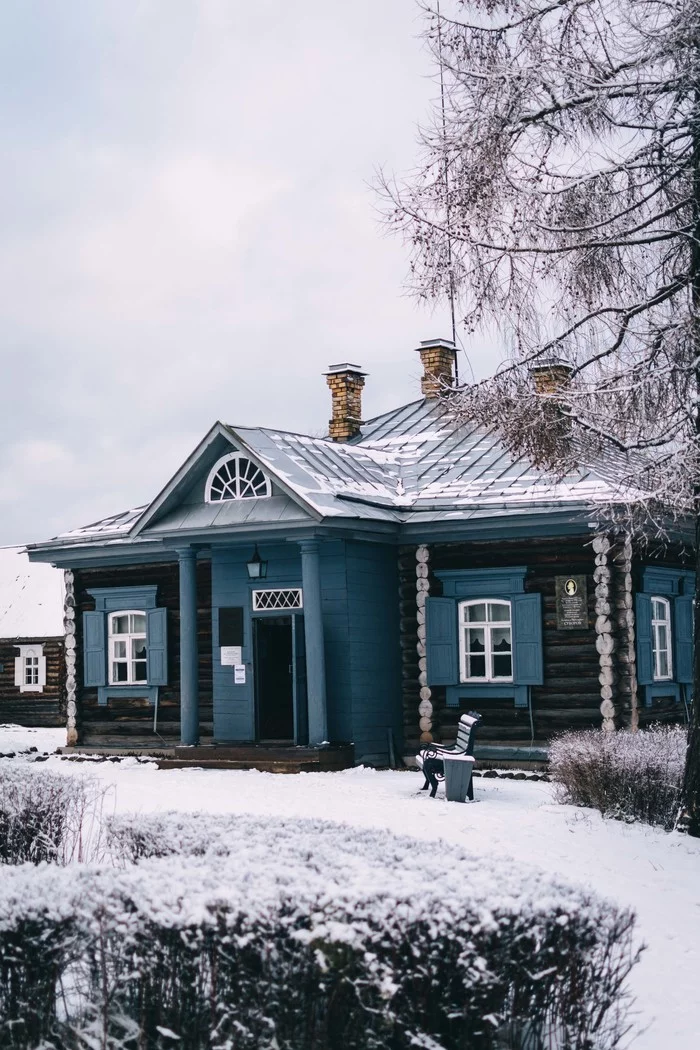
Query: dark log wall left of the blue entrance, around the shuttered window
130,722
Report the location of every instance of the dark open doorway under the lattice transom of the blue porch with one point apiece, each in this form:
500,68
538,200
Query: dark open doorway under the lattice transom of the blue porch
274,679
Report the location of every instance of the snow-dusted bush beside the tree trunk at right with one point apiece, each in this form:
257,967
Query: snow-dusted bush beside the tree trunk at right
635,776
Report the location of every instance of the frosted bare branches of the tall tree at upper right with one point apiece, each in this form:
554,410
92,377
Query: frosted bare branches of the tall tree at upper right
574,157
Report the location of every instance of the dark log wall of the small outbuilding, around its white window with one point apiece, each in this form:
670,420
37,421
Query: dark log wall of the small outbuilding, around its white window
41,709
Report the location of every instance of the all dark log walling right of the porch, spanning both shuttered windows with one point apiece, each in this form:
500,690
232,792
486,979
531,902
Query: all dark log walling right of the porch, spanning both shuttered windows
574,689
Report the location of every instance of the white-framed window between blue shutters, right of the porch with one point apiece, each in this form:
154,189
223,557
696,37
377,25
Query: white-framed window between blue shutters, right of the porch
486,641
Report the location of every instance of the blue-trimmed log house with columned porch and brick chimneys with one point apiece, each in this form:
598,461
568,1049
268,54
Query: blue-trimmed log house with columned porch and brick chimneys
350,596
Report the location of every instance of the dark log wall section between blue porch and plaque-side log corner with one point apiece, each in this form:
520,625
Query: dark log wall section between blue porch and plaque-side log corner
570,698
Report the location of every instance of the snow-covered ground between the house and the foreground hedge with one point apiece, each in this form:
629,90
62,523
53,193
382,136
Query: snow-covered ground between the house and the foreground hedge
655,873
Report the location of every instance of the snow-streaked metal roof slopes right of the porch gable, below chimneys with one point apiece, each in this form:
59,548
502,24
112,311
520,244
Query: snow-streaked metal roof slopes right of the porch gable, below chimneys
415,464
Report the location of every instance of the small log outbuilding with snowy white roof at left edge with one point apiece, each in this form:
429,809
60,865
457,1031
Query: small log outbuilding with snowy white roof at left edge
32,649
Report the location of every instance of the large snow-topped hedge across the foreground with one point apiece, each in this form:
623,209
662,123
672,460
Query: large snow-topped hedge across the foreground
306,936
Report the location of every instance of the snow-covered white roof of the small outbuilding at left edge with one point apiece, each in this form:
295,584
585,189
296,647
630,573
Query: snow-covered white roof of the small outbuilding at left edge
31,597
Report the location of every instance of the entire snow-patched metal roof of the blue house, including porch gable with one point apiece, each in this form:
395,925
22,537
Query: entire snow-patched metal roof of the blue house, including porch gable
413,465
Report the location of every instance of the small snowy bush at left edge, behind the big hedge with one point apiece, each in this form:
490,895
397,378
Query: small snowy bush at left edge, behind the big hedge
47,816
